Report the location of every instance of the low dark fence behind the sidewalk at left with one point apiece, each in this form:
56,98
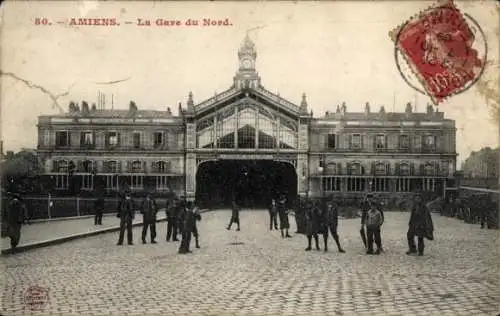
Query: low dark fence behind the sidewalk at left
49,207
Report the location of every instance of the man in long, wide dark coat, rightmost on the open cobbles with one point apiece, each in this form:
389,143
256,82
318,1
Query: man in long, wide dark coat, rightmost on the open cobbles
420,225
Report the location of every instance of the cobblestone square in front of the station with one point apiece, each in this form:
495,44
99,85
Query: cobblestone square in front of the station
255,272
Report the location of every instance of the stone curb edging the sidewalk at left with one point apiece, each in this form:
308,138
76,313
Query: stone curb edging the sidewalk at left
61,240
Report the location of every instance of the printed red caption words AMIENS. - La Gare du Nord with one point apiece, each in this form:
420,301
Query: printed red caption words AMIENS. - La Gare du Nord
154,22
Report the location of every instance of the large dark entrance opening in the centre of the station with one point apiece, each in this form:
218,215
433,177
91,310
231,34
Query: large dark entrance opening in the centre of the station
253,183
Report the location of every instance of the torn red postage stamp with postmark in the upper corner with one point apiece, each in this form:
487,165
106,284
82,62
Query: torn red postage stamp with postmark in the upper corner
438,46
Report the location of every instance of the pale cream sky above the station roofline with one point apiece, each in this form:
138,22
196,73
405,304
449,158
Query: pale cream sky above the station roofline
333,51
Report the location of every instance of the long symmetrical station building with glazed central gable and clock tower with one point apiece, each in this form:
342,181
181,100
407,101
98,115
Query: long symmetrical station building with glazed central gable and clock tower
249,139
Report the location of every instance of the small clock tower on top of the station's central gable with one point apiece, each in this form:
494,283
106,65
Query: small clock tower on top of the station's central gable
247,77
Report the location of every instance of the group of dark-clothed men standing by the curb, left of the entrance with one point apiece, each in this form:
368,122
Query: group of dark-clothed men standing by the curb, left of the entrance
181,219
